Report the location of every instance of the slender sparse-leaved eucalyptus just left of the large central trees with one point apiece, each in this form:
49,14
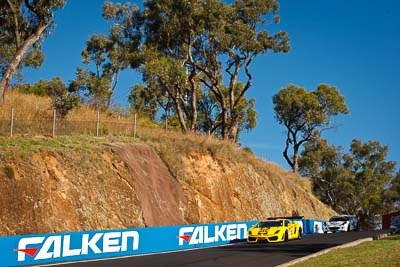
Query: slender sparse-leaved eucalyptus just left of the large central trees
109,54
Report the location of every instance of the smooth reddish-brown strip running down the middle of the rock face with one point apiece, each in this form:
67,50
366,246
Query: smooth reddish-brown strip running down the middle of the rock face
161,196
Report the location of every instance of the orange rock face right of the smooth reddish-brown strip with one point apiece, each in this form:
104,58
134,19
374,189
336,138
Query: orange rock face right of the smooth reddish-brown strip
227,191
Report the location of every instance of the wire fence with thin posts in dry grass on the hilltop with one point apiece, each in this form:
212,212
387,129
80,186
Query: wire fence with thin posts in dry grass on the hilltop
11,124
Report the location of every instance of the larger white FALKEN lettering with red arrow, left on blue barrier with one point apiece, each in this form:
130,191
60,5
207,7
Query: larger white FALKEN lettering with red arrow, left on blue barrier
59,246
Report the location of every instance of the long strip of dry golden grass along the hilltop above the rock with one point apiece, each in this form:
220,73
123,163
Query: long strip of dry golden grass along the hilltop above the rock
34,117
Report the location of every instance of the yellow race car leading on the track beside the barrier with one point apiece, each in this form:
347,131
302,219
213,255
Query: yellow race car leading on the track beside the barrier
274,230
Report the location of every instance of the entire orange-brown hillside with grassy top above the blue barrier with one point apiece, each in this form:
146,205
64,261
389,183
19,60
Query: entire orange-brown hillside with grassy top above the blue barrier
82,182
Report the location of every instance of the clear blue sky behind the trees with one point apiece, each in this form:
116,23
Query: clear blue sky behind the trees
351,44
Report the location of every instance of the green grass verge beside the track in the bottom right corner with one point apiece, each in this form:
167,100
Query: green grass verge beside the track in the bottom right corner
384,252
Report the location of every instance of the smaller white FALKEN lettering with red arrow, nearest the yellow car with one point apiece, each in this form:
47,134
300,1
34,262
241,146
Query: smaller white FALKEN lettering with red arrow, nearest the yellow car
194,235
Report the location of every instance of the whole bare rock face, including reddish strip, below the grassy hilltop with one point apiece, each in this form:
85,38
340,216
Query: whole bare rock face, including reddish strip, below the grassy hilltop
121,185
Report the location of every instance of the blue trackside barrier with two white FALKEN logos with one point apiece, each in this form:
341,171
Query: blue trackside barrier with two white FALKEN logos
78,246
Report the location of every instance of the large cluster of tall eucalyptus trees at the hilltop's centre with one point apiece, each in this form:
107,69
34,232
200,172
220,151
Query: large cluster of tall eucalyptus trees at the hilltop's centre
195,51
